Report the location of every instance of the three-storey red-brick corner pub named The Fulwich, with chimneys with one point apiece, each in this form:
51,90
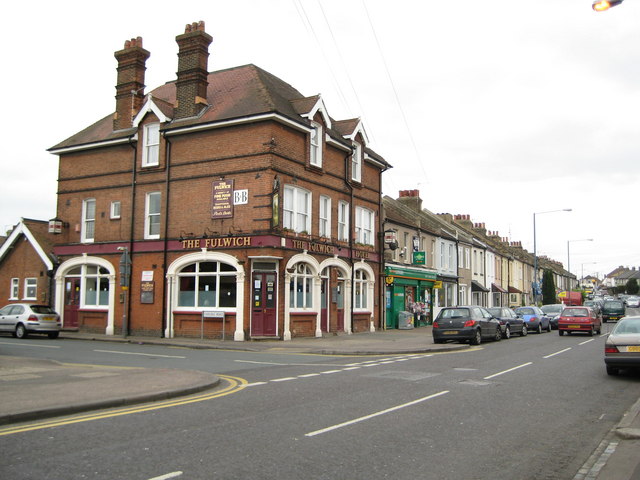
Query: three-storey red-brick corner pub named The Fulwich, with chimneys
245,210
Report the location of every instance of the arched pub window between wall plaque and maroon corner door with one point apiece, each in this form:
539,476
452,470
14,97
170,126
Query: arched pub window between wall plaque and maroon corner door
207,284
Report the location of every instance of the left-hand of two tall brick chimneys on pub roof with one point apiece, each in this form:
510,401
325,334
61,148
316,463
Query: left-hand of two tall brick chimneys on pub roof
130,82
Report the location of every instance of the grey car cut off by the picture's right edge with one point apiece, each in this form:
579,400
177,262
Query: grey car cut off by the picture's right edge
622,348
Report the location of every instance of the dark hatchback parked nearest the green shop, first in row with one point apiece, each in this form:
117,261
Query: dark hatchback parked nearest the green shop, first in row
466,324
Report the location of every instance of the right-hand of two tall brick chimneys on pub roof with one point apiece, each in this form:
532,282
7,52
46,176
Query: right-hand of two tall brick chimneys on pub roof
191,85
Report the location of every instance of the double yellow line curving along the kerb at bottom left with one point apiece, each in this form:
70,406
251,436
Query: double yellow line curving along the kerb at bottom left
234,385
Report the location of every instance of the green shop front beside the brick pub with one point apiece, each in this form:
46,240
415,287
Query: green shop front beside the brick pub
409,290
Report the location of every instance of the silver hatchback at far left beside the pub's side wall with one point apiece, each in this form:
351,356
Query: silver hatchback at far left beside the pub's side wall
21,319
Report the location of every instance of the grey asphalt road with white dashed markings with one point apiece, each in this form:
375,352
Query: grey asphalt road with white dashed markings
526,408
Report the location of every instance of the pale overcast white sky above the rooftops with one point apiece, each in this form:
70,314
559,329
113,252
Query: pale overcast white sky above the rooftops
500,110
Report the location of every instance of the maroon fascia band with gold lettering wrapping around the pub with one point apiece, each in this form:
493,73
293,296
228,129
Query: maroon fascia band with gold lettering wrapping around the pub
258,241
